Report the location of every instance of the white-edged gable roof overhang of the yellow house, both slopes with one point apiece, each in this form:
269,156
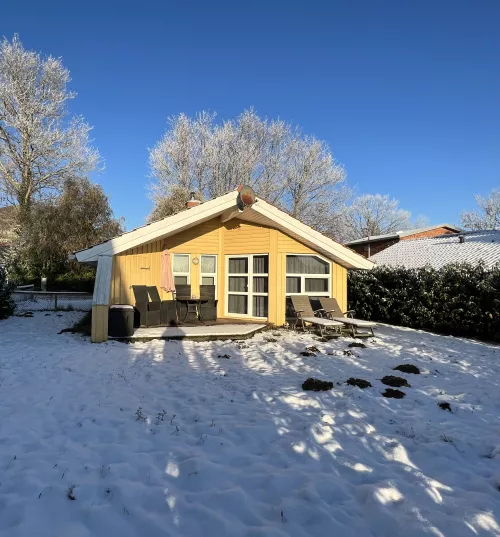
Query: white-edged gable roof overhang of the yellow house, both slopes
225,206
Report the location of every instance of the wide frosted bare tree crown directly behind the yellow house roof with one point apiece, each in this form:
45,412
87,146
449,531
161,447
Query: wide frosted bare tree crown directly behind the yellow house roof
296,172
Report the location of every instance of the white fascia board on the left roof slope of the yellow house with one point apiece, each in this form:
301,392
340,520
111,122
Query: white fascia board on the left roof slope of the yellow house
163,228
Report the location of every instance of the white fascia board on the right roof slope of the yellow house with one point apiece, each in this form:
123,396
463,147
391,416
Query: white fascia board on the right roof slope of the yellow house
336,251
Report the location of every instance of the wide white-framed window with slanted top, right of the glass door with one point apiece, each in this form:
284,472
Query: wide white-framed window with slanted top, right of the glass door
307,275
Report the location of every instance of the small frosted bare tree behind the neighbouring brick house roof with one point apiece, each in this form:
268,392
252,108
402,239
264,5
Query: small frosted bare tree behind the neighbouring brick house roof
374,214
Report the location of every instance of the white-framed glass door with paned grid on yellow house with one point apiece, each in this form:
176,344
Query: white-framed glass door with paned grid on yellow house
247,286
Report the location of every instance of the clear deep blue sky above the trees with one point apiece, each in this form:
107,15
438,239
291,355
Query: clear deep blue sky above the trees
406,93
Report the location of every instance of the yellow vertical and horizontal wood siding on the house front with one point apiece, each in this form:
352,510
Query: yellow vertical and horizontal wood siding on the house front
141,265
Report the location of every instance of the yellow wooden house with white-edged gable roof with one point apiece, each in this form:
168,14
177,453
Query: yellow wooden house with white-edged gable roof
256,255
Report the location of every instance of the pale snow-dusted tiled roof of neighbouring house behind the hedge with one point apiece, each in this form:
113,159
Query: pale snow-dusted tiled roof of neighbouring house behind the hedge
443,250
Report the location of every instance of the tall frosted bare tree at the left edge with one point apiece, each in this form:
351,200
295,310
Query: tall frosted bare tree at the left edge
40,146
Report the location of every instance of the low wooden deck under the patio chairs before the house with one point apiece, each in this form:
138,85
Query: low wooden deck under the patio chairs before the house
219,331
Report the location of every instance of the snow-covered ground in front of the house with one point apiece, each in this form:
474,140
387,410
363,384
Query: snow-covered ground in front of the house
169,439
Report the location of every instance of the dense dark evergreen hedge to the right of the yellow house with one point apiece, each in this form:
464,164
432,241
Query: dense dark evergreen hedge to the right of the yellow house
459,299
